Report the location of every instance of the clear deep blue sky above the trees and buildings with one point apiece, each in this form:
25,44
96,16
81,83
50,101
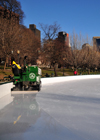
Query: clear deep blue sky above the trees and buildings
78,15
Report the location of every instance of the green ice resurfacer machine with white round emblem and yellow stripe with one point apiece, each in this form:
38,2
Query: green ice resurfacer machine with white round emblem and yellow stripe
26,79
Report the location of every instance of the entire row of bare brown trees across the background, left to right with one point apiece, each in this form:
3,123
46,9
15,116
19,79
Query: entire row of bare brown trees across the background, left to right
15,37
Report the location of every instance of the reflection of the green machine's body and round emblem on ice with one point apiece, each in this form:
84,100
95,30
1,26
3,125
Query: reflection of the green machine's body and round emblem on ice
26,106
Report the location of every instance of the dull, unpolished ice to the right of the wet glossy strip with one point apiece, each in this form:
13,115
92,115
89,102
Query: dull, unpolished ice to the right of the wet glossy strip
75,105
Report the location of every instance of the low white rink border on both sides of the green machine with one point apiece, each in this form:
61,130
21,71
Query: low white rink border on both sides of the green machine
5,89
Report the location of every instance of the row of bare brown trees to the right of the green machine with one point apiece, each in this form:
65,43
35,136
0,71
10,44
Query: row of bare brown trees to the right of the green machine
55,52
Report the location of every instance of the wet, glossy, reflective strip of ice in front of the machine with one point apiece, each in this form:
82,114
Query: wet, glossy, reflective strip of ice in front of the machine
24,120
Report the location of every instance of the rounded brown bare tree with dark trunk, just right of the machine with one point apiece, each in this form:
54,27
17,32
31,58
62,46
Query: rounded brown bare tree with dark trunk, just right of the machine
54,52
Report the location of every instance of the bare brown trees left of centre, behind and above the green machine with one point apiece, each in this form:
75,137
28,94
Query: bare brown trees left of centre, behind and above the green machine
14,36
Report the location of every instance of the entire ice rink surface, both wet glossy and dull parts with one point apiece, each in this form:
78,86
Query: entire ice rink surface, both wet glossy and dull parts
60,111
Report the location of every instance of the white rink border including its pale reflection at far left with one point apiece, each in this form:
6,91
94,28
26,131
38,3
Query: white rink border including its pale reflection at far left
5,89
